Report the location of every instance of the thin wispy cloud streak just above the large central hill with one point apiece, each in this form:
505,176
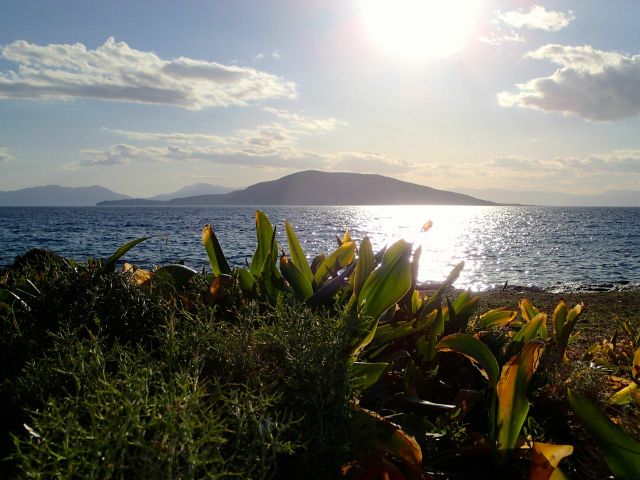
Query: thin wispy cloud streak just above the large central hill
273,145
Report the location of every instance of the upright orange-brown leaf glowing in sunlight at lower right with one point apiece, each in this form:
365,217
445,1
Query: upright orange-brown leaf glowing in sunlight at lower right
511,391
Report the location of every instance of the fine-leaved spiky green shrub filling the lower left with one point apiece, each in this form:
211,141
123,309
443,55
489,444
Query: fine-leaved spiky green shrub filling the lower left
104,380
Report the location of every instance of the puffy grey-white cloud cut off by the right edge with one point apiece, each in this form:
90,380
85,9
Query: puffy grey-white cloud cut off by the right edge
593,84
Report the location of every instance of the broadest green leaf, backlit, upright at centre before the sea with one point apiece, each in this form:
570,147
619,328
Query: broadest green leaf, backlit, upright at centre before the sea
387,284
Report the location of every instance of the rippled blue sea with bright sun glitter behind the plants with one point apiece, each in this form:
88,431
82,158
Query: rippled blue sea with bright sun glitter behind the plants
558,248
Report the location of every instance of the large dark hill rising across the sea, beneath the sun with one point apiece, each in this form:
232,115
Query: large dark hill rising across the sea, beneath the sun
324,188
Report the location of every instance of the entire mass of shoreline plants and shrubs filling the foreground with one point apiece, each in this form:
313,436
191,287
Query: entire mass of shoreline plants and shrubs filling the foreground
340,367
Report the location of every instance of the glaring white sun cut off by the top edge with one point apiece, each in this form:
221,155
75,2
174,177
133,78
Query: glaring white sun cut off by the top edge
420,29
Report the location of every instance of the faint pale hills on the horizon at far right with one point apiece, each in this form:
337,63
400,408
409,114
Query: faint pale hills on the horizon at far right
610,198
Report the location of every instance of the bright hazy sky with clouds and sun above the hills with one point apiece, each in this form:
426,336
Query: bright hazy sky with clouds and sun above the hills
145,97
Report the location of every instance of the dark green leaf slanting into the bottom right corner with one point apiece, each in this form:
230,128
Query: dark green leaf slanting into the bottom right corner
621,452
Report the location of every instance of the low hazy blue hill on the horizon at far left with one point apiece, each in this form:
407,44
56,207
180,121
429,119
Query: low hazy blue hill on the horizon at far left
55,195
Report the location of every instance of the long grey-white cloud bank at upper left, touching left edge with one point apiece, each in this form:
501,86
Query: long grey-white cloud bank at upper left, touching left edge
115,71
